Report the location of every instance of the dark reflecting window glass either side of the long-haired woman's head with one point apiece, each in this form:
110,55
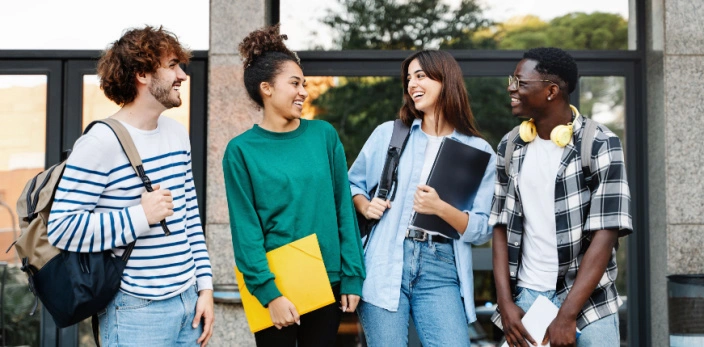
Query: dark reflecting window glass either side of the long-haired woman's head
357,105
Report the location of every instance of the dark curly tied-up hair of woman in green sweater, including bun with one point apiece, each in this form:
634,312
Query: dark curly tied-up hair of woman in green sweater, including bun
263,53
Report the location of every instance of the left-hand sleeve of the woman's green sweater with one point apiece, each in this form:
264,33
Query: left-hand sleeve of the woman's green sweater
247,233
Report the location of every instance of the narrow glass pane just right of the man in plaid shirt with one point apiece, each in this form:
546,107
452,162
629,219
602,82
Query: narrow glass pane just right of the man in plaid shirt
603,99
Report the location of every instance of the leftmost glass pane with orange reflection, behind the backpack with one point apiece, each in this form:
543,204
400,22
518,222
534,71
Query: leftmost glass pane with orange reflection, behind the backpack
22,156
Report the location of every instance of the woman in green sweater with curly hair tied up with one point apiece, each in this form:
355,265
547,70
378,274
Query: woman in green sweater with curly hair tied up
286,178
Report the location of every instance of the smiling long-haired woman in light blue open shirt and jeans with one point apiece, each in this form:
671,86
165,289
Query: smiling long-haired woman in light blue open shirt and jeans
421,273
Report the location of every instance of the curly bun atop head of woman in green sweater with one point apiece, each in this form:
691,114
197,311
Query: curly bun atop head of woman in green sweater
259,42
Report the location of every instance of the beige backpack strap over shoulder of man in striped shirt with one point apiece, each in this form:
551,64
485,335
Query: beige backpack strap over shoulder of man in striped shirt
125,140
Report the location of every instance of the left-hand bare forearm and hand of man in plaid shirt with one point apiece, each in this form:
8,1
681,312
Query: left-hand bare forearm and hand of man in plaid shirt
515,332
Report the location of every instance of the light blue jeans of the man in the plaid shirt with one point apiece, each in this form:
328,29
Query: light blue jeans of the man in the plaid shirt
603,332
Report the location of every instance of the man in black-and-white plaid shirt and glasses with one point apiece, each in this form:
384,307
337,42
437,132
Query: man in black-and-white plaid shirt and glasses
556,224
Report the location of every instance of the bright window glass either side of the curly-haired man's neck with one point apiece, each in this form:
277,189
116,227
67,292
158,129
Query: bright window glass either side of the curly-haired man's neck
97,106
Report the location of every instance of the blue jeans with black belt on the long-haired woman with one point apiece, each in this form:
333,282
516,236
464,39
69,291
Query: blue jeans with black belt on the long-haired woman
430,292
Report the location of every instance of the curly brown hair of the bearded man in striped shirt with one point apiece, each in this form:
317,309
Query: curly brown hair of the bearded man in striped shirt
138,51
